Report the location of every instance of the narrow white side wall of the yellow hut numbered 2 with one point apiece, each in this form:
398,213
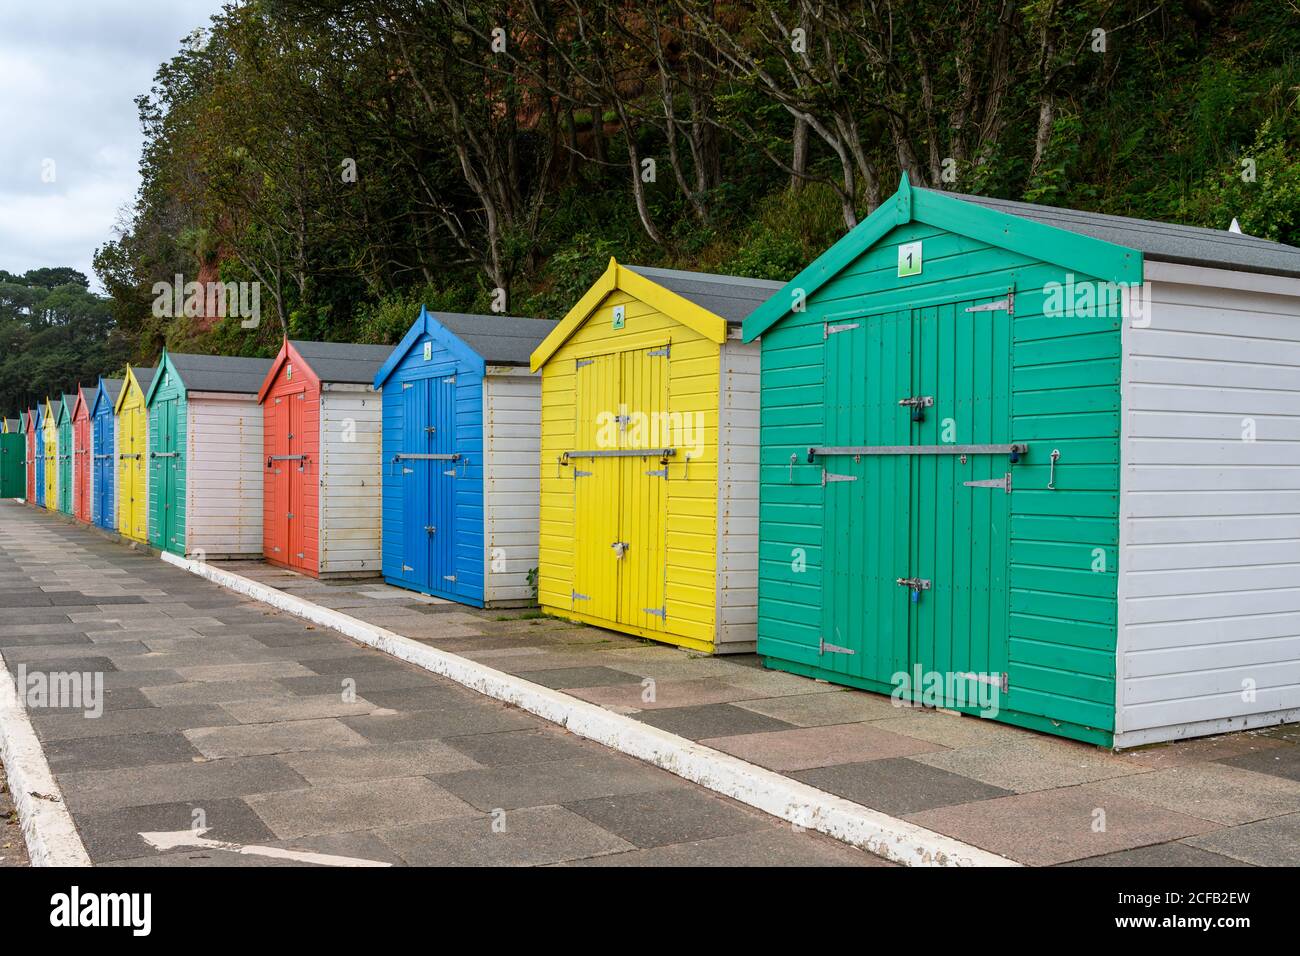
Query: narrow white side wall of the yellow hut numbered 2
738,498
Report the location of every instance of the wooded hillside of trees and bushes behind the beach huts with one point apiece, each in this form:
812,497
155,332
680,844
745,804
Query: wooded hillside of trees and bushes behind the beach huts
475,171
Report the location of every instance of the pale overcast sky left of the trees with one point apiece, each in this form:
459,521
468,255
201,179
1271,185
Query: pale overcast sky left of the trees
70,73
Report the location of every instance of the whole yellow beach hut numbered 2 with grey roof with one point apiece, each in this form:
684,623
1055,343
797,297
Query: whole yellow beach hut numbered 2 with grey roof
649,520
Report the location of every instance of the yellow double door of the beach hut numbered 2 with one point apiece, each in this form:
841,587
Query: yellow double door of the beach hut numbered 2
621,487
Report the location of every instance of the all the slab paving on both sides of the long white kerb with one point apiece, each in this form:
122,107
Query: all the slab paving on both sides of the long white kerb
224,706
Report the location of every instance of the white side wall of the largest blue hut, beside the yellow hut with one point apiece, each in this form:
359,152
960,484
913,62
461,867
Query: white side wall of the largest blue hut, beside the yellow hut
513,455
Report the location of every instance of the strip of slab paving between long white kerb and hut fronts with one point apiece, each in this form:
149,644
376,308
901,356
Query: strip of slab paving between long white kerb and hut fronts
1041,801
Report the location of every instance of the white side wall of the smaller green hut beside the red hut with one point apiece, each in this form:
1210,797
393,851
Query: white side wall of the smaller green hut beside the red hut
223,512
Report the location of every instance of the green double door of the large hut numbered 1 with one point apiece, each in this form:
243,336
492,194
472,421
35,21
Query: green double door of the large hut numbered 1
921,521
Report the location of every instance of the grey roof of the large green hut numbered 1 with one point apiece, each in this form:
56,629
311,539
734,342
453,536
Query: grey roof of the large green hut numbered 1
1162,241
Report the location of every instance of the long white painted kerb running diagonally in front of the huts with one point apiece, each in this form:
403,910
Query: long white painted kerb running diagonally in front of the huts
765,790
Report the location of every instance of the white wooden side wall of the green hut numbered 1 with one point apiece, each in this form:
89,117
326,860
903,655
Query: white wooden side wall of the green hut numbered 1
1210,585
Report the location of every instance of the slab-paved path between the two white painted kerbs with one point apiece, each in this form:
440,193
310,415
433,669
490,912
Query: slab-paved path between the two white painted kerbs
222,713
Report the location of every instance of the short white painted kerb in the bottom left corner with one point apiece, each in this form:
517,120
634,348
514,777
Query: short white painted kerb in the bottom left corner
47,828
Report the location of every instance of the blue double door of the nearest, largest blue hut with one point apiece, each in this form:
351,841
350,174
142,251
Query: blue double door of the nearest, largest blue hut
430,470
